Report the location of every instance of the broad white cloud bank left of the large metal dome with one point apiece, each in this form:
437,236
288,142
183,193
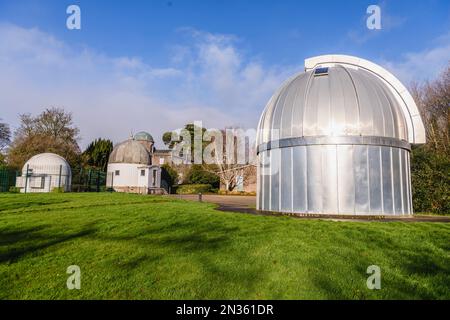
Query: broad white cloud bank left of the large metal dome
208,80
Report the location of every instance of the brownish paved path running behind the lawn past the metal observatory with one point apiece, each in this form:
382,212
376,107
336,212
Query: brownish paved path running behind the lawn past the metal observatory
247,204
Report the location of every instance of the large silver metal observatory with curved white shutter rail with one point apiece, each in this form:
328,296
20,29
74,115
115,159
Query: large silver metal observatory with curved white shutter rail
336,139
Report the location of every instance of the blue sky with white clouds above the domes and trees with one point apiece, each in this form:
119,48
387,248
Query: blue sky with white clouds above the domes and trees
154,65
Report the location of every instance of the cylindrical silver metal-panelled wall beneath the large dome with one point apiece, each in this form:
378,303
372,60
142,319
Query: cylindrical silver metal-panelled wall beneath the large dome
335,179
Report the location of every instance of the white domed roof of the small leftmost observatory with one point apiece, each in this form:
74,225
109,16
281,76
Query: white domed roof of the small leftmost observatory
47,163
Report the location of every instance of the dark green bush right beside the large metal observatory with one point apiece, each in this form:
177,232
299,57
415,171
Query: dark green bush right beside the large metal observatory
430,175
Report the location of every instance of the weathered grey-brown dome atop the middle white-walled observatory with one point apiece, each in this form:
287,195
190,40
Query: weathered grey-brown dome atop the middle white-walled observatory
130,151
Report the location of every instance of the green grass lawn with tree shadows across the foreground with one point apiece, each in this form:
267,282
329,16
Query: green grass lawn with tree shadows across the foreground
144,247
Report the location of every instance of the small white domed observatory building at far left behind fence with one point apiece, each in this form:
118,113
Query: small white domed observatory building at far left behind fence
43,173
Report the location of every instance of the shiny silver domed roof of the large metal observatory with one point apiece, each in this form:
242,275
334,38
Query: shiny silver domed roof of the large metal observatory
335,99
